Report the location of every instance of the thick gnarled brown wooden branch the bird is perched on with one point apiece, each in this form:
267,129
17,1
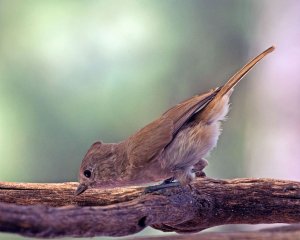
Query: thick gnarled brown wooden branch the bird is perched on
51,210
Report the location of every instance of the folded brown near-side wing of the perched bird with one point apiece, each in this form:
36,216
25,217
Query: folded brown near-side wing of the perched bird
153,138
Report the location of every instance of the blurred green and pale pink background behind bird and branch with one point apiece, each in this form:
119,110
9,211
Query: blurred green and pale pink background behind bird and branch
72,72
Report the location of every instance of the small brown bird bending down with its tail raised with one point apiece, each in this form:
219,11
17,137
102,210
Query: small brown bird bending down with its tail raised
169,148
